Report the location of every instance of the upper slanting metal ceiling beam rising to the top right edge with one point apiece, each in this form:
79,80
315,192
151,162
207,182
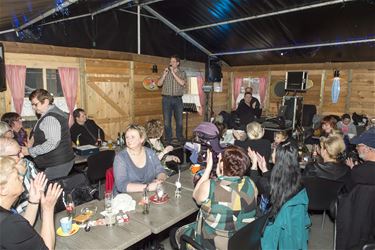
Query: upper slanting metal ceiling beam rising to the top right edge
267,15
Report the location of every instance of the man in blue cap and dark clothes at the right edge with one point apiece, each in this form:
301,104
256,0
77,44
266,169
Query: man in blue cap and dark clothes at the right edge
363,173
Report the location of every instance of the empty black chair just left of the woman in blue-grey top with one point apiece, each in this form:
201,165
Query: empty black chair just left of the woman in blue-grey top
97,166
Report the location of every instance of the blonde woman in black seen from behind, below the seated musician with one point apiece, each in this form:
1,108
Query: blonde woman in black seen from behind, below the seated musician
255,141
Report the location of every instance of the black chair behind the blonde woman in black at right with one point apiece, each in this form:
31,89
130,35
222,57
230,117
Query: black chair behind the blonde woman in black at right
321,193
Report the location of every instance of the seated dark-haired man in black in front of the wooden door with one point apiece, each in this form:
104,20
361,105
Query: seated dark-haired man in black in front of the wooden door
85,130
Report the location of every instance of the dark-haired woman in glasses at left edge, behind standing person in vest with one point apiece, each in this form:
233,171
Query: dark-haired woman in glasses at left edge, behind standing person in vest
14,120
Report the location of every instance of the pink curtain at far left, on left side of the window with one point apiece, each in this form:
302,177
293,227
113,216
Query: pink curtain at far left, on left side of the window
16,77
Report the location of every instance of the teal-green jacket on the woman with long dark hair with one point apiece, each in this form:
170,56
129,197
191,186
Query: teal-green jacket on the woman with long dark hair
290,230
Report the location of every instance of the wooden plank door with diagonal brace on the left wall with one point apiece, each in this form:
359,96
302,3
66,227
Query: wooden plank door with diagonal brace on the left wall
107,94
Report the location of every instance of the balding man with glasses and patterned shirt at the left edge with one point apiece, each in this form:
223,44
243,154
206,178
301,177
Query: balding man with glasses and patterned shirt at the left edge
10,147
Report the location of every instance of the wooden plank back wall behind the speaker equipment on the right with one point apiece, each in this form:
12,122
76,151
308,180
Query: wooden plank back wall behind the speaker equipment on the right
357,81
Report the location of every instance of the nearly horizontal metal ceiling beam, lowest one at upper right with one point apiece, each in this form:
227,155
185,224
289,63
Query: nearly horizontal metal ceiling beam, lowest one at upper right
370,40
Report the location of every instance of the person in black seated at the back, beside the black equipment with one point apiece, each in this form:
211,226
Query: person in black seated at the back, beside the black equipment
248,109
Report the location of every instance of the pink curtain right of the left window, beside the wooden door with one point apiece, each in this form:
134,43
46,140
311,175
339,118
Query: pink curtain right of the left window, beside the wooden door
69,83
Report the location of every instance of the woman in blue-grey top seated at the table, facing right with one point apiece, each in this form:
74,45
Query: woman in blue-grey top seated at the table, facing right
136,167
